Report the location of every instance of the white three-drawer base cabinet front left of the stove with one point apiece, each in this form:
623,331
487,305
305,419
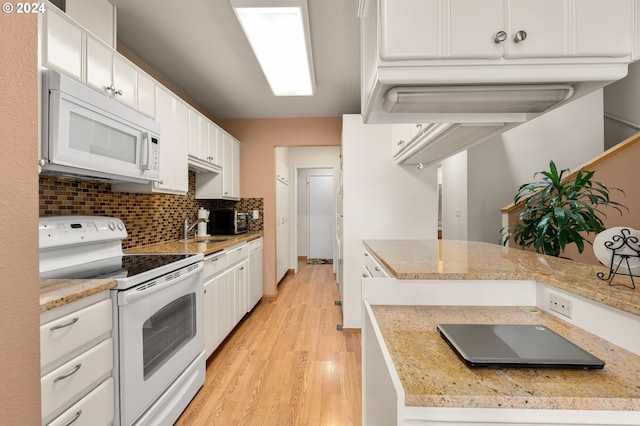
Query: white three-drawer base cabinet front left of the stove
76,359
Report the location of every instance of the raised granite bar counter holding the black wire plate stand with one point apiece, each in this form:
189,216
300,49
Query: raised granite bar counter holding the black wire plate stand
469,260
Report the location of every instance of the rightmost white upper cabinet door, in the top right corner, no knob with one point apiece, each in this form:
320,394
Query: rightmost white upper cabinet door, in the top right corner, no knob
597,36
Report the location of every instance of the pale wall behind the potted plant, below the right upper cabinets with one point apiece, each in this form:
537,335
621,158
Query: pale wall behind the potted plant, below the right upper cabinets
570,136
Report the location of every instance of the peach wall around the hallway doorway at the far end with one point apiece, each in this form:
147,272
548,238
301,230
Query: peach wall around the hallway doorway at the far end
259,138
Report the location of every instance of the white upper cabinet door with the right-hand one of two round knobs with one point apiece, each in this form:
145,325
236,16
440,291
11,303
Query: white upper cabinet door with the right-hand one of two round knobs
543,21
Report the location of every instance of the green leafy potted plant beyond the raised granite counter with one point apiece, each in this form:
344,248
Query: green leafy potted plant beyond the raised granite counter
559,211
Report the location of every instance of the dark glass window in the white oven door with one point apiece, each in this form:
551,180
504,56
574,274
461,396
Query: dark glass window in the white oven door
167,331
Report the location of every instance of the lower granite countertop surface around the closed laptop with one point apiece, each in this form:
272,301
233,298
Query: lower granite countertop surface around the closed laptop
413,342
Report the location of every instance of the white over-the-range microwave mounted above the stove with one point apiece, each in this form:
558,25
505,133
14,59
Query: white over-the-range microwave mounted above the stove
88,135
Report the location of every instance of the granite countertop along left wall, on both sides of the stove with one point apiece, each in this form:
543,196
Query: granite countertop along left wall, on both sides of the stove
59,292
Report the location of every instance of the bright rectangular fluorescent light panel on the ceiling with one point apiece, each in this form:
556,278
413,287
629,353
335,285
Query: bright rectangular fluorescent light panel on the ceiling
278,32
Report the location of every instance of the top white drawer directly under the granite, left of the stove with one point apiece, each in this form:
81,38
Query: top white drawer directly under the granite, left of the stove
73,333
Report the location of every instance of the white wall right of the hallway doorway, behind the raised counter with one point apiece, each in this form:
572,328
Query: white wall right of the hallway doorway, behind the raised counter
382,200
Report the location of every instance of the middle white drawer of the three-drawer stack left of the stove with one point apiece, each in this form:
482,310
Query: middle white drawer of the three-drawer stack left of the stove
71,380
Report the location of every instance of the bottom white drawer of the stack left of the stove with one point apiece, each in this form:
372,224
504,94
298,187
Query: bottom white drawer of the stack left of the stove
95,409
